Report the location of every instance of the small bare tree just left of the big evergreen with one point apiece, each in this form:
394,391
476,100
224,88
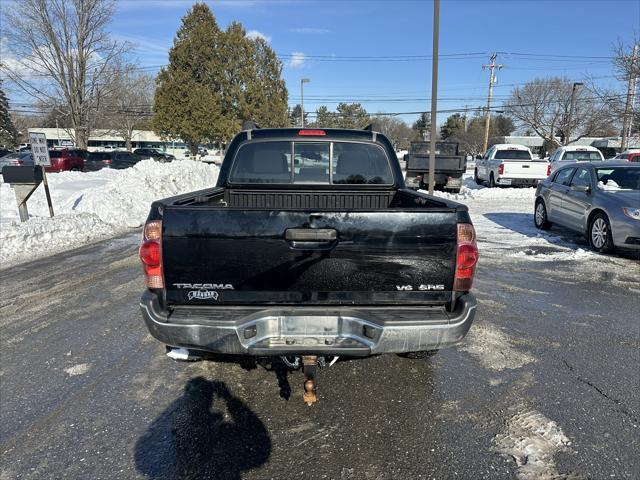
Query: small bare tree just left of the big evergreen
130,104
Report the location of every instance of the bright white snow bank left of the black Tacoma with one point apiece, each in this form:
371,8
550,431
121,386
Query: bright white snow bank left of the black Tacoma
92,205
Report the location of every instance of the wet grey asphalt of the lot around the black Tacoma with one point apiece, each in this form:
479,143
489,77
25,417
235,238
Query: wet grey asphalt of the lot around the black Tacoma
546,385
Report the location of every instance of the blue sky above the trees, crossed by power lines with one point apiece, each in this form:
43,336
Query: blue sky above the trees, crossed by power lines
393,28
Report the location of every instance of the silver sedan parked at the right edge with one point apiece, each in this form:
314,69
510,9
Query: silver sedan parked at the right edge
601,201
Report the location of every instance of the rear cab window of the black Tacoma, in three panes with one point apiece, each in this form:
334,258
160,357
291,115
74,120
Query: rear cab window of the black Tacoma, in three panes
311,163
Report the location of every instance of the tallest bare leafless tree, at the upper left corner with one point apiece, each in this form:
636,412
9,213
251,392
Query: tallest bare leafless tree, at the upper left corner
60,55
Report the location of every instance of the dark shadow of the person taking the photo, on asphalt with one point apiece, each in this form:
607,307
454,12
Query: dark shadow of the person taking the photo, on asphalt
206,433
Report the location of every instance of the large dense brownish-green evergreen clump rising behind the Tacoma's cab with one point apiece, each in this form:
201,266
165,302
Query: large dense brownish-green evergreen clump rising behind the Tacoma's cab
215,80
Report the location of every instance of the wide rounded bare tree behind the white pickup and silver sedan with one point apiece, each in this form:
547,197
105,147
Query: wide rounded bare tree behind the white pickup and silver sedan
545,106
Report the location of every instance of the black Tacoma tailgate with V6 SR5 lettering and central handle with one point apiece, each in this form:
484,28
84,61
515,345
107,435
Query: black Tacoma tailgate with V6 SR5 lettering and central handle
235,256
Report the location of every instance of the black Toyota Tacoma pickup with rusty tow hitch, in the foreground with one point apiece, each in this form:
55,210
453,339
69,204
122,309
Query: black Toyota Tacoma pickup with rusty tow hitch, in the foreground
309,247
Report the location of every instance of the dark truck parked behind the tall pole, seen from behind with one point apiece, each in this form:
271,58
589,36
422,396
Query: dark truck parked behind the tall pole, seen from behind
450,166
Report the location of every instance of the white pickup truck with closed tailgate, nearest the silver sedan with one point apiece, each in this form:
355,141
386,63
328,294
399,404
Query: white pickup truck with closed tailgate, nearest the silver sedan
510,165
